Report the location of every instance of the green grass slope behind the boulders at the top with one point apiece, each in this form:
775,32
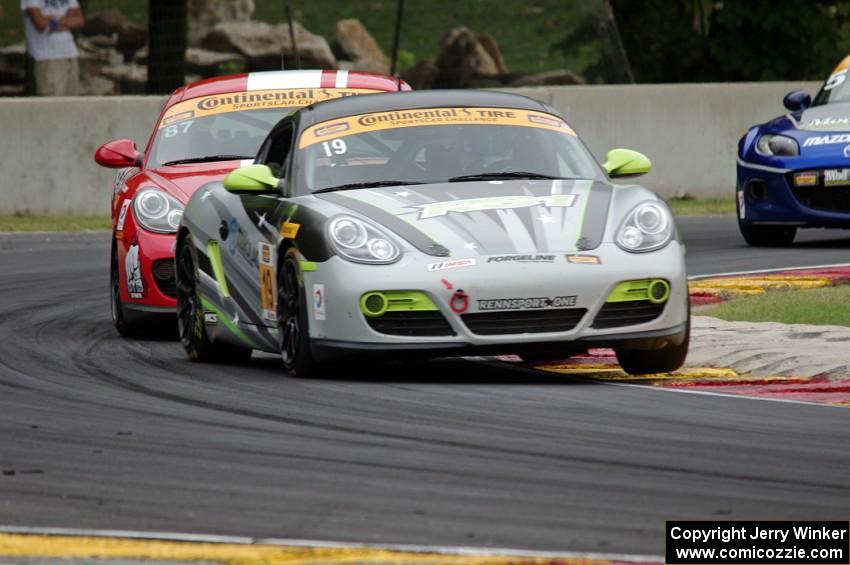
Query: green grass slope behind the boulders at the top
524,29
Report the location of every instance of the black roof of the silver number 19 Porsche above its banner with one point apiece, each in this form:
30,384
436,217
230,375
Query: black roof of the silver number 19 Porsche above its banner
353,105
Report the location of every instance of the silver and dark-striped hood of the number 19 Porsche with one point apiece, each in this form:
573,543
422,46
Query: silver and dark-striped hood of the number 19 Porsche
488,217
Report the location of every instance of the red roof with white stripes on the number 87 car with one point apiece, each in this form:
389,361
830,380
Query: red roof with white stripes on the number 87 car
314,78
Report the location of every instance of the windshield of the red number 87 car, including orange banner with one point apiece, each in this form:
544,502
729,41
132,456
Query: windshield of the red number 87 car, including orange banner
229,126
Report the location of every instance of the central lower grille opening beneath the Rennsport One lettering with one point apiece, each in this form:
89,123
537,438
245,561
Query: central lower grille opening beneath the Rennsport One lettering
524,321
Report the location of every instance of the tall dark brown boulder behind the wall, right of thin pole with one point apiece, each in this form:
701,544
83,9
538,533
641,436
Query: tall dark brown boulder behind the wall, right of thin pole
465,55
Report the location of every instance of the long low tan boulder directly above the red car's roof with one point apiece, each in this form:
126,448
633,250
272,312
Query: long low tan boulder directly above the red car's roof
262,45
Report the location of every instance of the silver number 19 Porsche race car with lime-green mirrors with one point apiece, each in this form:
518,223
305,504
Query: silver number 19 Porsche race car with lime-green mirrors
431,224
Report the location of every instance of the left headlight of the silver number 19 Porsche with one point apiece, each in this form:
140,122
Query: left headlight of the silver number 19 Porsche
361,242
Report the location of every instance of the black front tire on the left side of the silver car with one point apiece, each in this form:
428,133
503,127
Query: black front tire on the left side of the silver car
293,325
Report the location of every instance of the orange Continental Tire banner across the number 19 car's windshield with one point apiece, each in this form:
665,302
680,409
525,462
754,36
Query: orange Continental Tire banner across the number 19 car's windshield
379,121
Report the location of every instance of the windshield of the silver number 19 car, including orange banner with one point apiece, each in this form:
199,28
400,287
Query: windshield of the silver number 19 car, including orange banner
440,145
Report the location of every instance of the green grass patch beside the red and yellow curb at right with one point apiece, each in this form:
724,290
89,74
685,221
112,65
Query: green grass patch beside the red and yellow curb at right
819,306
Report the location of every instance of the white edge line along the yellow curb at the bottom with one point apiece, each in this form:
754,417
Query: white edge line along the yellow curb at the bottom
244,540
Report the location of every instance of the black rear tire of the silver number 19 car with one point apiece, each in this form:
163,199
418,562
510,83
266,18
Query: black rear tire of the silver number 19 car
190,313
